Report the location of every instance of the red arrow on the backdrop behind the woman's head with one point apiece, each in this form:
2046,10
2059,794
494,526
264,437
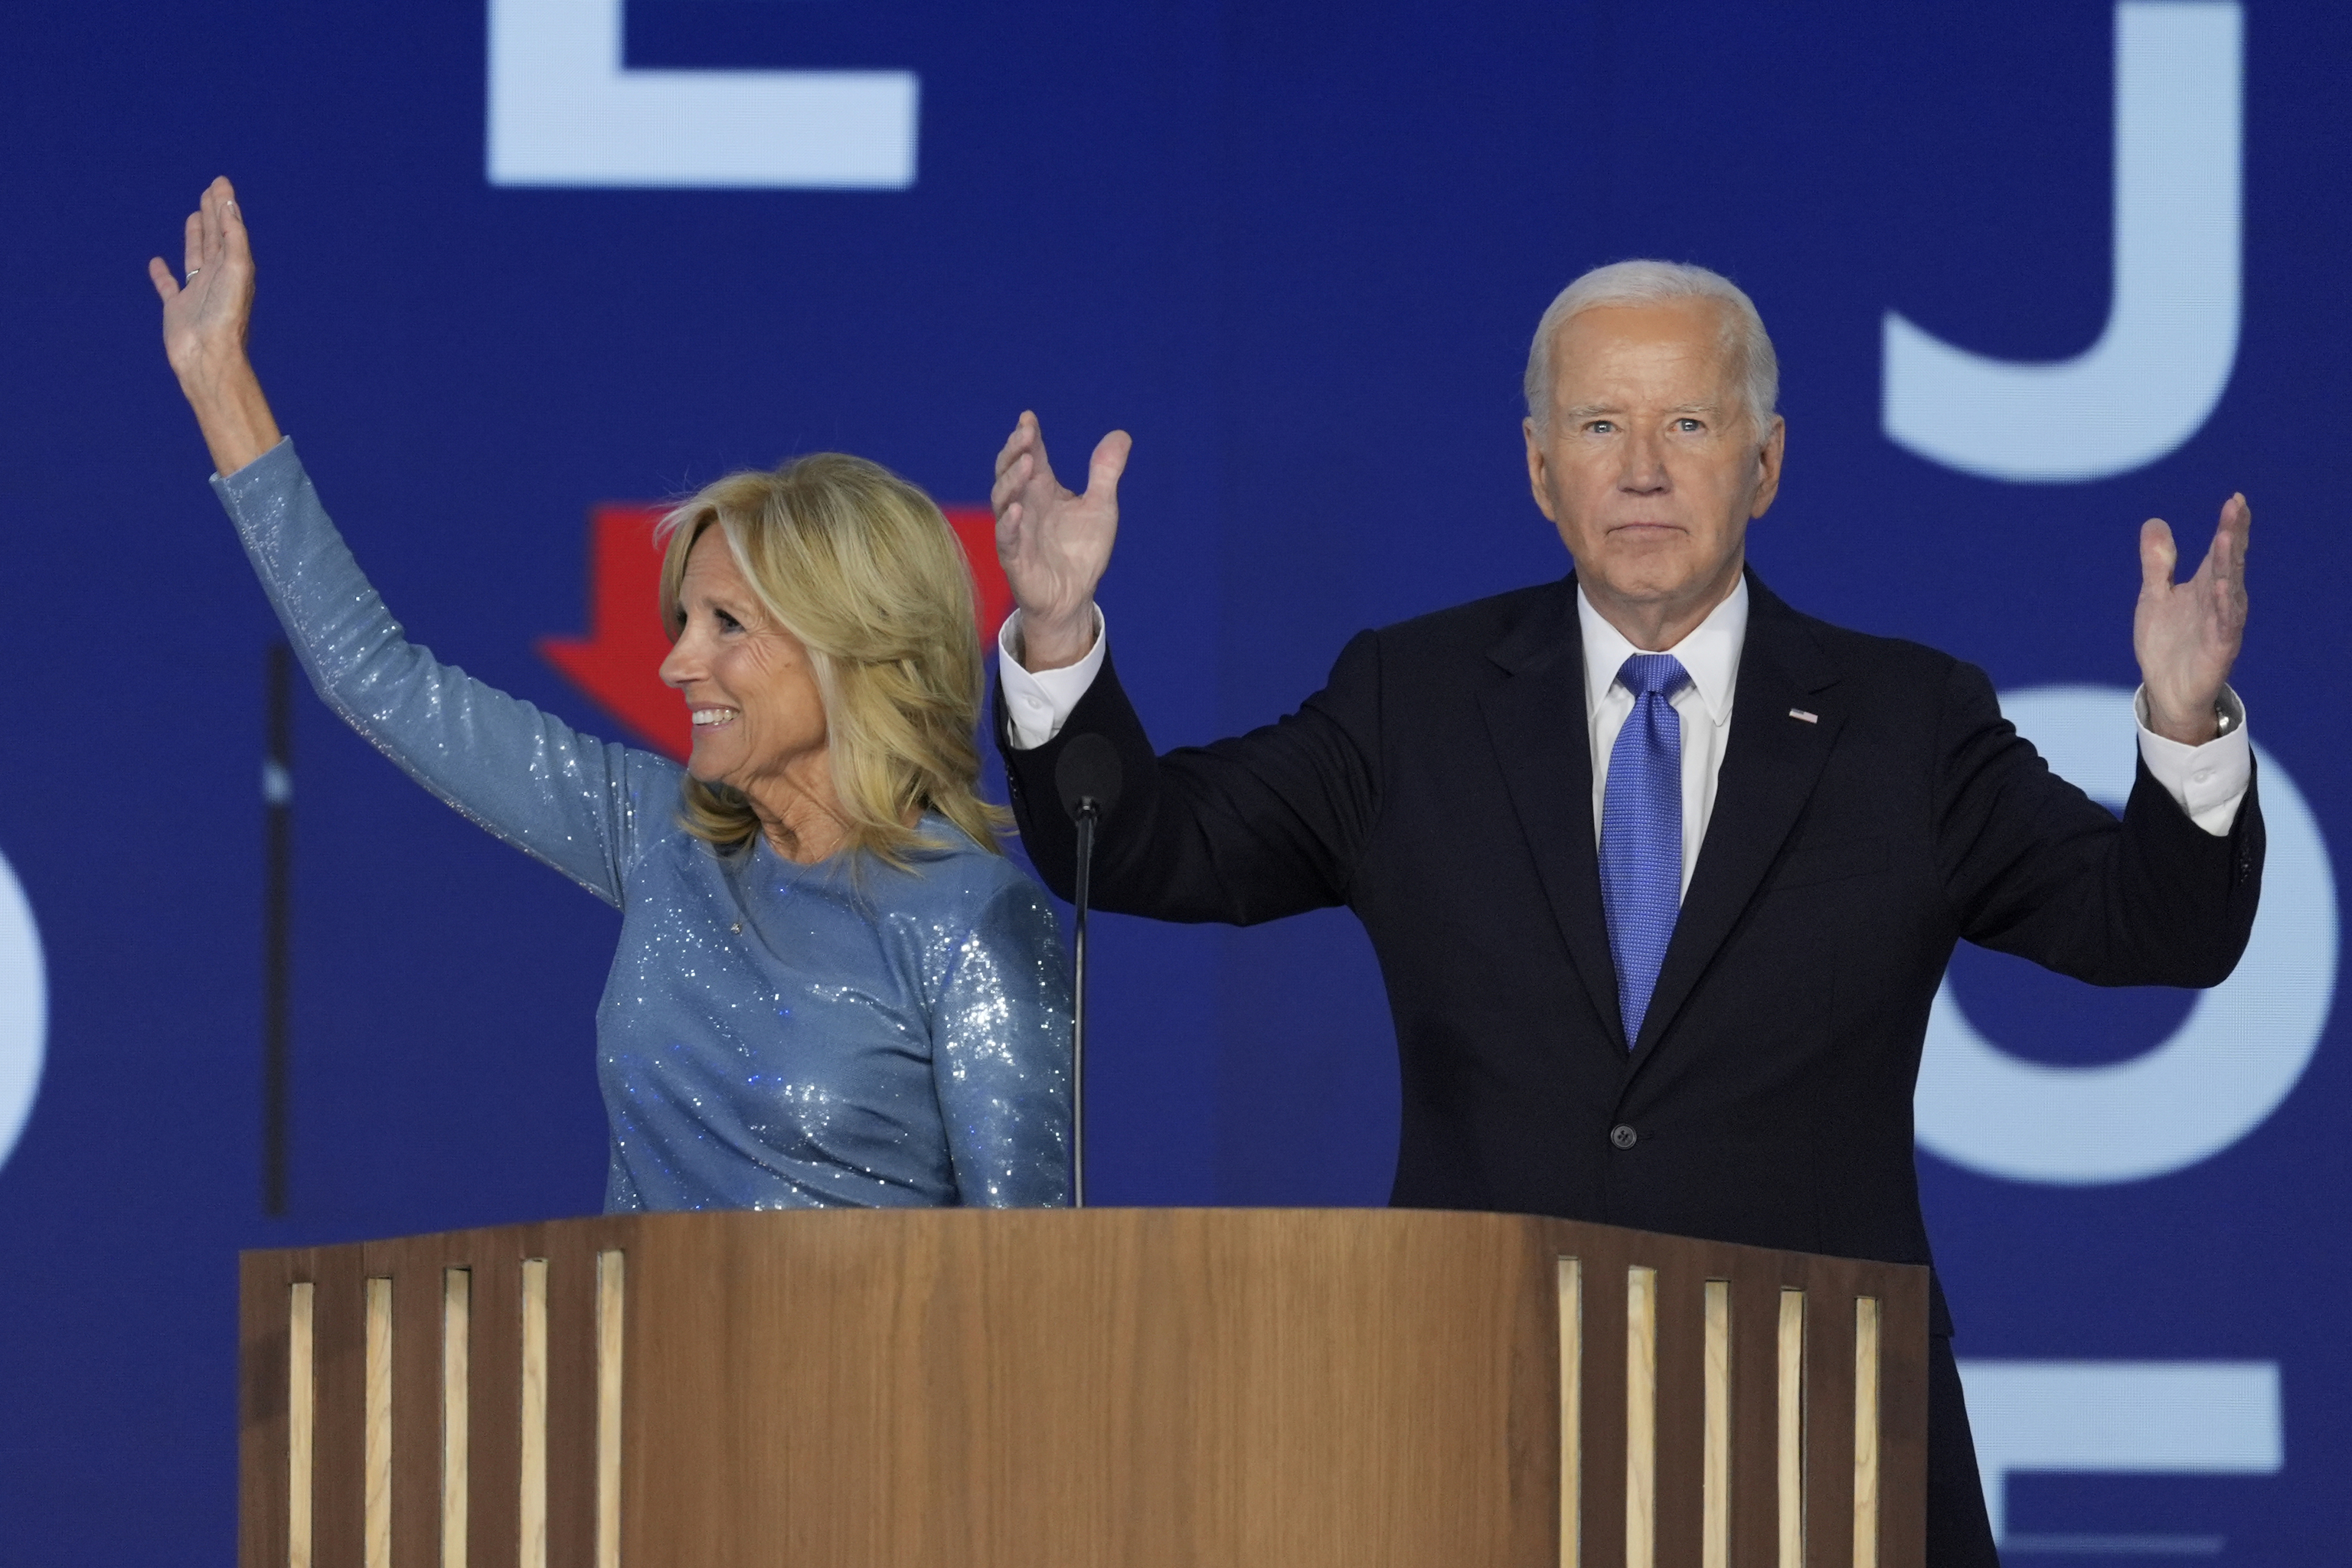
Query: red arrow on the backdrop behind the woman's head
617,664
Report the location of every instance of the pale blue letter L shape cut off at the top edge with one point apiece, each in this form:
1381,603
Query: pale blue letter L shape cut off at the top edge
563,112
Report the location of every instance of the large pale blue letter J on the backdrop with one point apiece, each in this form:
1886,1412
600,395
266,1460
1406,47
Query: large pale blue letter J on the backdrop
2172,323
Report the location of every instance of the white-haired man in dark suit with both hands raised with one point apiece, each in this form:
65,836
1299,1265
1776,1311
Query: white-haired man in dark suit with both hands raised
1662,873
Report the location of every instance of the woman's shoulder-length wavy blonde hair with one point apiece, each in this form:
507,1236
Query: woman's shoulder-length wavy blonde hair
867,572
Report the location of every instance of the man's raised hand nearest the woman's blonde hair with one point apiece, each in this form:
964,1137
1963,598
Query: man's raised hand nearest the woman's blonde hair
1055,544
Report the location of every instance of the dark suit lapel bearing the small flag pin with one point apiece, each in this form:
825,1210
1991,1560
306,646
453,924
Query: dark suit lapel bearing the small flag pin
1770,768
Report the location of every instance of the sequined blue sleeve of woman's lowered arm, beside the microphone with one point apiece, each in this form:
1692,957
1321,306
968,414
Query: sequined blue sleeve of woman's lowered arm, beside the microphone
1001,1052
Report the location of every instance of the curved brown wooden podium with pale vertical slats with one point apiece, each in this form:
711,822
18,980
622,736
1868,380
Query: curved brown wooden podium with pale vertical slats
1107,1388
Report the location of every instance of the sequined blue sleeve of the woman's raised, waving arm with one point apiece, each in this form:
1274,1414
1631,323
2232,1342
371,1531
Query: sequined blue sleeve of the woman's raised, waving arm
563,798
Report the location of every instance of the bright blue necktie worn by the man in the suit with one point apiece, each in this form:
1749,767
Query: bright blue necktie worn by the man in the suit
1643,833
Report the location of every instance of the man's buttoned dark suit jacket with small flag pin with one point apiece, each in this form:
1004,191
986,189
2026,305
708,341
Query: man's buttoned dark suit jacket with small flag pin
1441,786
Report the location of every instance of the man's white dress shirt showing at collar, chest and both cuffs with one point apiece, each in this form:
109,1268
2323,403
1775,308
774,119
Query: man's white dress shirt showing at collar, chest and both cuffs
2207,782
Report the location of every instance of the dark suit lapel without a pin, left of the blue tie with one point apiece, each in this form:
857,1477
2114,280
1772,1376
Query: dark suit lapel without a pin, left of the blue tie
1537,723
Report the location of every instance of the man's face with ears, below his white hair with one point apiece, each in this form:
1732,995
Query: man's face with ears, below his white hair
1650,464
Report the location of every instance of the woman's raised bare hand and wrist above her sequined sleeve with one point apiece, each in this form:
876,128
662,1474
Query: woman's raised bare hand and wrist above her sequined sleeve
203,330
